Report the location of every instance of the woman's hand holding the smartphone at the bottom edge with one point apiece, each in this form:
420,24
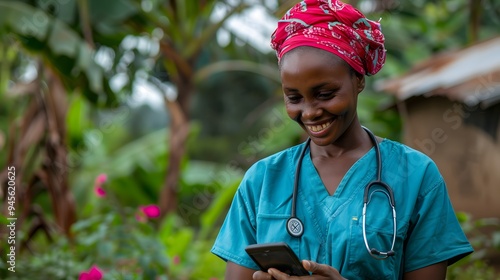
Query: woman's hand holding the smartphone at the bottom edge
319,271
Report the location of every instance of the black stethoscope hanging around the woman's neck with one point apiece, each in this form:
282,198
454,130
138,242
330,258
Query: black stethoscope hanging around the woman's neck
295,227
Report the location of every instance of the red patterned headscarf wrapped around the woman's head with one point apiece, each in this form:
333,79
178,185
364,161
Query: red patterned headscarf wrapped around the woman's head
333,26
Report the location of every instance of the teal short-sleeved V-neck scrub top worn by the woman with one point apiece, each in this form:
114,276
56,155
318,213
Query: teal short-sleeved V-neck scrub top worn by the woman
428,231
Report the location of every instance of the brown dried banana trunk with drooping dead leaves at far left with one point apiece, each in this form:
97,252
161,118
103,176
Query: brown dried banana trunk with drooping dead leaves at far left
40,135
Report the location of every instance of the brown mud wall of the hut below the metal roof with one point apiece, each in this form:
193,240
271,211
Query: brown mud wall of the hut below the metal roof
467,155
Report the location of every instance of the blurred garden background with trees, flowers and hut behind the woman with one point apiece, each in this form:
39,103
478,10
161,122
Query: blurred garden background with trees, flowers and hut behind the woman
126,125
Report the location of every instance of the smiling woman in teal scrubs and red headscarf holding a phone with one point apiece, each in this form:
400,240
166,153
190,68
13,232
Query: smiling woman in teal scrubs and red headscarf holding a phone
355,190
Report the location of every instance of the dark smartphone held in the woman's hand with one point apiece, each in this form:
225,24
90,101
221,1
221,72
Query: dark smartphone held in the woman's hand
276,255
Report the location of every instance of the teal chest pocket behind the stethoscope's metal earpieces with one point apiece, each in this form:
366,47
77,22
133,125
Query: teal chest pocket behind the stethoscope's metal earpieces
379,234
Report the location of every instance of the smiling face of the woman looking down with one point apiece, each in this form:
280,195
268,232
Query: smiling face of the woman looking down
320,92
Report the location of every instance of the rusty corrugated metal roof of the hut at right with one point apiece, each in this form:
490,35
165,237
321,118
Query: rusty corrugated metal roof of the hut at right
470,76
